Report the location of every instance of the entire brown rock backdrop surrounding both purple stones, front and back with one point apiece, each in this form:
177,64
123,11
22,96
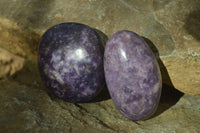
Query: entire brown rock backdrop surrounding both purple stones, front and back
170,27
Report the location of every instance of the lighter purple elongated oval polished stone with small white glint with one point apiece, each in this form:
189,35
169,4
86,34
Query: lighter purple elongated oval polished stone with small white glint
132,75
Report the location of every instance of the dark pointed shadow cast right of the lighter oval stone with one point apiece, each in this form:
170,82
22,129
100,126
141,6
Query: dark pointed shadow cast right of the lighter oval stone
169,95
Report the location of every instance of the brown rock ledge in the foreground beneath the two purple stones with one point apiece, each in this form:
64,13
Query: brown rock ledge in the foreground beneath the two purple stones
25,106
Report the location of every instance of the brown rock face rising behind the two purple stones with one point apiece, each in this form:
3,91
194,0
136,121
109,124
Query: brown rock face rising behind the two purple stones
172,26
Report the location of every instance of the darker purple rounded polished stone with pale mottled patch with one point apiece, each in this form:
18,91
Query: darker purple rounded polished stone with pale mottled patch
71,62
